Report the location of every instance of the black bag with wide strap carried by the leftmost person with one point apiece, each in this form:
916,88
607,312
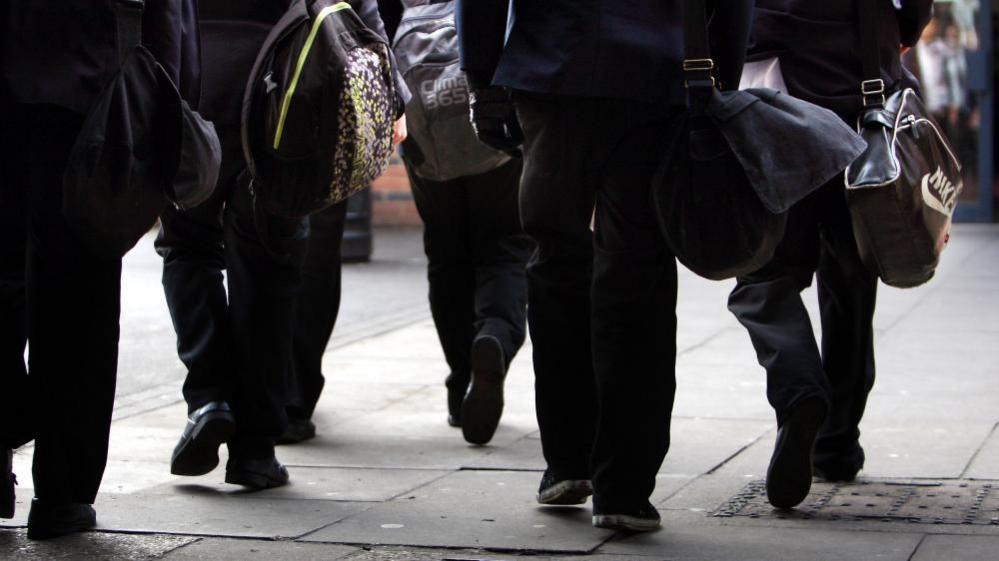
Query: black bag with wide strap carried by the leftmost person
141,147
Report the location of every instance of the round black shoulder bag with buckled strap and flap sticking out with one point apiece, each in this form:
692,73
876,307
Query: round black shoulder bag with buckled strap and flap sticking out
737,162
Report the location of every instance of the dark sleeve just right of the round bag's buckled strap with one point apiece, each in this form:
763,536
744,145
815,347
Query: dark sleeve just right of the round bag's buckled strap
729,30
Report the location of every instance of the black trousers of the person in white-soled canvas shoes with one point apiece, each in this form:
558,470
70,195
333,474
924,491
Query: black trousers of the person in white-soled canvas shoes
602,309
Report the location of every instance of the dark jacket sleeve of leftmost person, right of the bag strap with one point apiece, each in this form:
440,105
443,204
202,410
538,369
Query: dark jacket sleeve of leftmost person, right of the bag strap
170,32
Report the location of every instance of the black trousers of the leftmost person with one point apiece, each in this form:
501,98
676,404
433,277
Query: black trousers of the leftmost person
57,295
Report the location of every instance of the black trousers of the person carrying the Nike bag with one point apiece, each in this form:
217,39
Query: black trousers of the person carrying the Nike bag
819,241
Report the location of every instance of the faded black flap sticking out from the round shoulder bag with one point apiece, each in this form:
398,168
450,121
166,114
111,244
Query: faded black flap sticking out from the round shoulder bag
787,147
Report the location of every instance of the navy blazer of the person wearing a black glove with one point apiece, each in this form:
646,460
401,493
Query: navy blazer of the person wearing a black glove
630,49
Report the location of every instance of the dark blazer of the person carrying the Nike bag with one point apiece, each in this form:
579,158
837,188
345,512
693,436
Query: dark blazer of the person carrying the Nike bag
818,44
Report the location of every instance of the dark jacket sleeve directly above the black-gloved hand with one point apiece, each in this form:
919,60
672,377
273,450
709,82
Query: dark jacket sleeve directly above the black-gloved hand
481,34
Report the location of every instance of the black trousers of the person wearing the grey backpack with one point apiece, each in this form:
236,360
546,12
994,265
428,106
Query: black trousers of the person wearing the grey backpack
477,252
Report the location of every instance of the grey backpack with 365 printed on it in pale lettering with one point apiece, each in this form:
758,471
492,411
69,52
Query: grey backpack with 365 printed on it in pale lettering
441,144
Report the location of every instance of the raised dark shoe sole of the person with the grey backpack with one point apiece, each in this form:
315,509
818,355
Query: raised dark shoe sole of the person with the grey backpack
483,404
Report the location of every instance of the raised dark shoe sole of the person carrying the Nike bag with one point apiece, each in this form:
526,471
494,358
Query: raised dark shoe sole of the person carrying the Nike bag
789,476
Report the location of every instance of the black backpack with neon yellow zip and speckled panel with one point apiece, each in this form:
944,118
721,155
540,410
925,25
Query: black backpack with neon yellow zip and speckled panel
318,109
